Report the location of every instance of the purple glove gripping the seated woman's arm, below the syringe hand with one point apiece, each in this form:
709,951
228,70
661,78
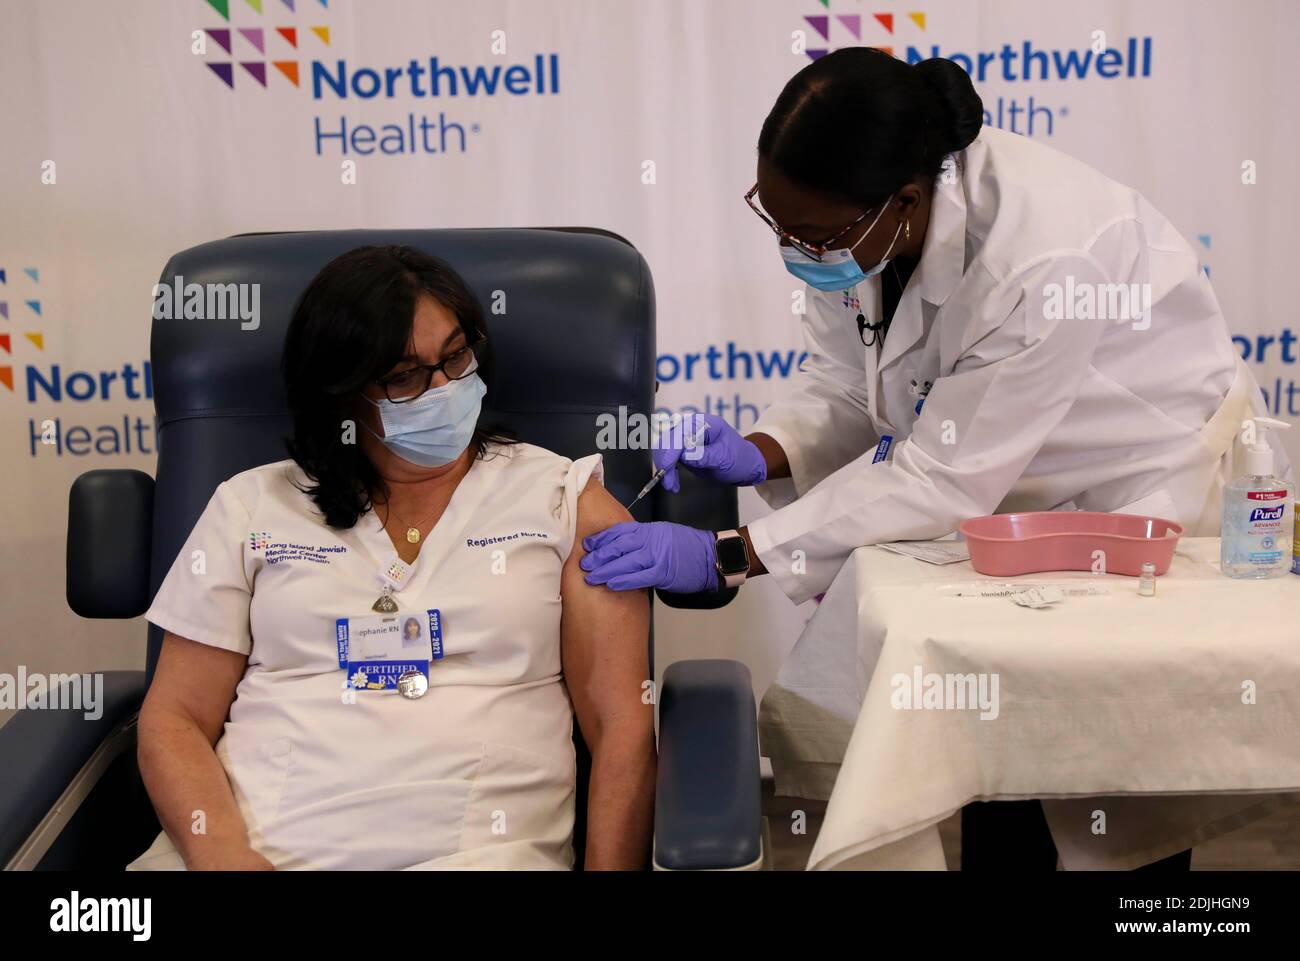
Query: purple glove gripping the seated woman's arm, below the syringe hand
671,557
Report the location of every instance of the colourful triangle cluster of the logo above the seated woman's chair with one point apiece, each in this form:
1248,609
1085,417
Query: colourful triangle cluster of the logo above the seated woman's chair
262,47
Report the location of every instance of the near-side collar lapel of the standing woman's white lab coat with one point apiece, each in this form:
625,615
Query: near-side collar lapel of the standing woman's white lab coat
943,259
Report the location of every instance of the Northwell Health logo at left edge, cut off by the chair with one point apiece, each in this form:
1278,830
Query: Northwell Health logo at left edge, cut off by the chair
31,376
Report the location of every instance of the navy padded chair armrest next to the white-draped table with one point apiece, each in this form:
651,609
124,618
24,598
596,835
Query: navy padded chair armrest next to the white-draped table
708,800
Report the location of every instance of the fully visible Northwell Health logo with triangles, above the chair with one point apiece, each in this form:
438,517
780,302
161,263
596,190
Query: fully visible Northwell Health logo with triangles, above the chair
288,49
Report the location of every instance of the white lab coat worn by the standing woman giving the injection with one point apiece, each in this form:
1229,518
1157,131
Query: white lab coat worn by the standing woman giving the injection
1033,399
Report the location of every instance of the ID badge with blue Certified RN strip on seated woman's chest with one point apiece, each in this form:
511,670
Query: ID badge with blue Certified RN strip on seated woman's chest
380,651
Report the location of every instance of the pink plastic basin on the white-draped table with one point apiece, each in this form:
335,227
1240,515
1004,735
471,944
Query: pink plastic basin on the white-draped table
1006,546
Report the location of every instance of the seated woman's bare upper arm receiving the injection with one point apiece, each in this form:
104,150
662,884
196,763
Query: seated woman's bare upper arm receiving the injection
605,638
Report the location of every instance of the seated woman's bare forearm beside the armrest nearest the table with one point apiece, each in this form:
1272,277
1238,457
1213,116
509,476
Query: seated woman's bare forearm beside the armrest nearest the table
621,800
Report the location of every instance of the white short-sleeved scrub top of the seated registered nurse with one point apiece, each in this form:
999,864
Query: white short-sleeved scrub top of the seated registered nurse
480,772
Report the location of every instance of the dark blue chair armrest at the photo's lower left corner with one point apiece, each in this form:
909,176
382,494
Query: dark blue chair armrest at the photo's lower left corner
42,754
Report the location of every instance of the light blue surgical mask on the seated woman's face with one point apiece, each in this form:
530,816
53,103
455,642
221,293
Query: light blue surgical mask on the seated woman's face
434,430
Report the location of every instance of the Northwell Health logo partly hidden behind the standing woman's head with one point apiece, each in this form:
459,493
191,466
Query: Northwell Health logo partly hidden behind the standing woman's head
1008,66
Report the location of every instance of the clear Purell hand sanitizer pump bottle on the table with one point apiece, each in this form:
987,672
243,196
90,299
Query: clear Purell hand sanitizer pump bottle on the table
1255,540
